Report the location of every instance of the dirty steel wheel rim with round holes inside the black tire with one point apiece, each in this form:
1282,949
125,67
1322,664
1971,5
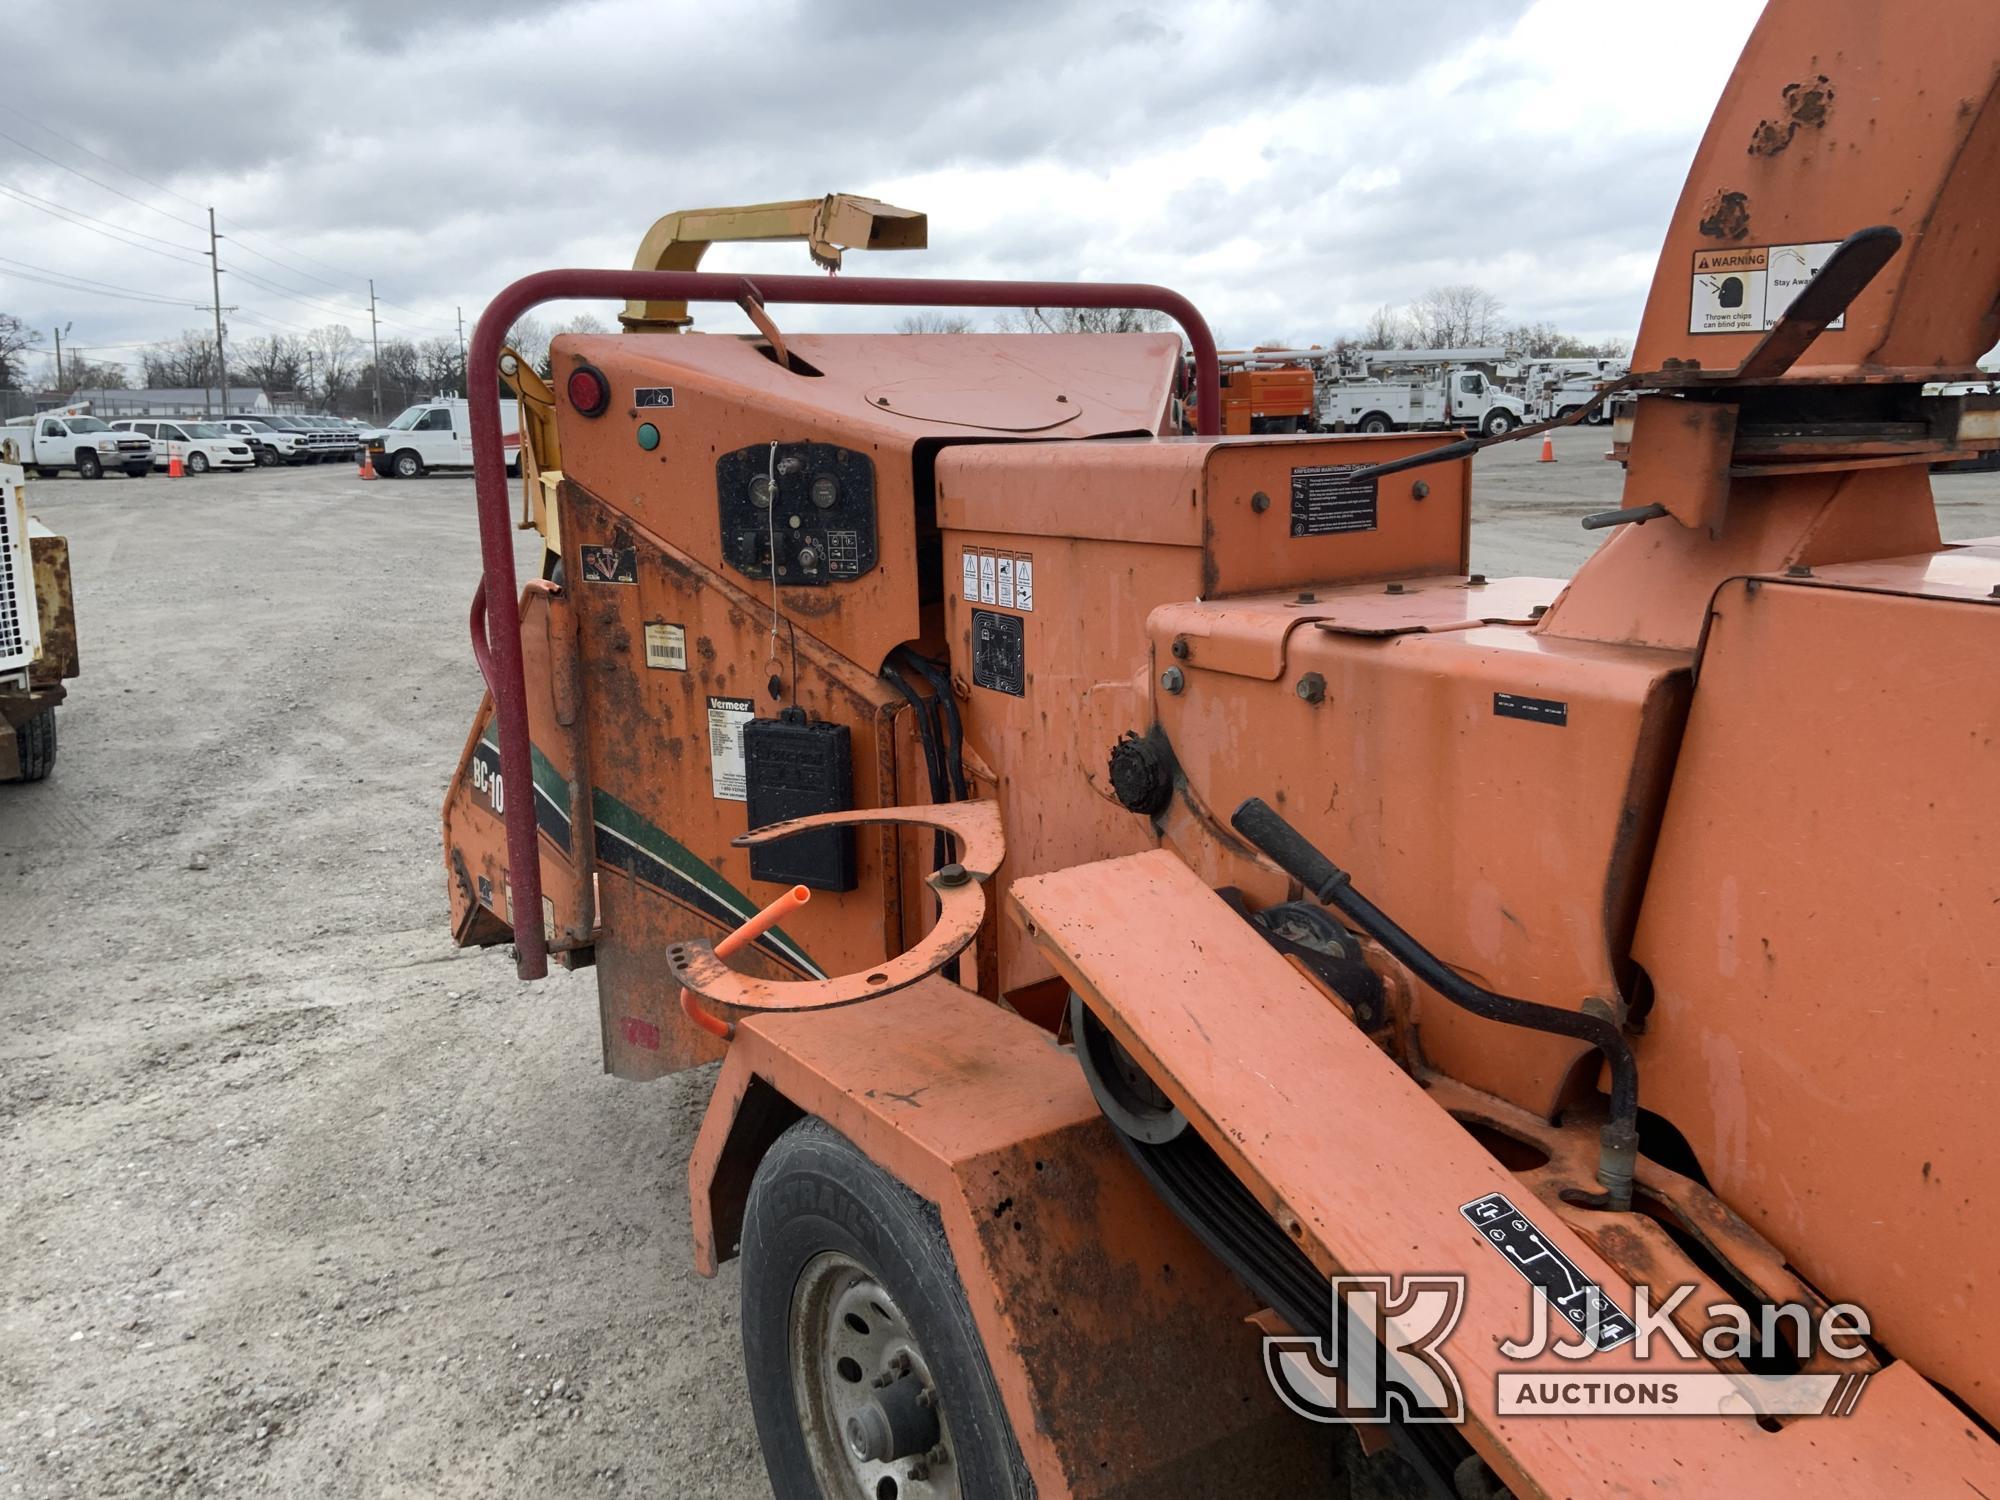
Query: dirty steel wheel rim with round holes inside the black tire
847,1333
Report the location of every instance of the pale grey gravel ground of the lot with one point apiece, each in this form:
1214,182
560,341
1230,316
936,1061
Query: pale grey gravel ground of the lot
295,1197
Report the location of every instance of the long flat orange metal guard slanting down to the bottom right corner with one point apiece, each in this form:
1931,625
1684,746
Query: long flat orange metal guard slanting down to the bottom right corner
1353,1161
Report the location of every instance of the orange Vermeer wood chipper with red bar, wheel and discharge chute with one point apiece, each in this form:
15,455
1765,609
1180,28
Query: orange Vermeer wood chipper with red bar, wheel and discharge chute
1205,971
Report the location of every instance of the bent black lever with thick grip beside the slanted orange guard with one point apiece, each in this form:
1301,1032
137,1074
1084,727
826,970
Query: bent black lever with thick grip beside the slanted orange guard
1293,853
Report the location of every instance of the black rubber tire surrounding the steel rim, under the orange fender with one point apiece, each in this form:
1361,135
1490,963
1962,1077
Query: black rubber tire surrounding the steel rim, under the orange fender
817,1199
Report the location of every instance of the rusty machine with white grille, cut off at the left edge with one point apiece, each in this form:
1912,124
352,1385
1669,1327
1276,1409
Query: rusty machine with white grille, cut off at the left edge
37,631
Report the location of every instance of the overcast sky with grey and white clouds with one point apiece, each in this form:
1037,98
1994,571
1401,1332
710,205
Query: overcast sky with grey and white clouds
1289,165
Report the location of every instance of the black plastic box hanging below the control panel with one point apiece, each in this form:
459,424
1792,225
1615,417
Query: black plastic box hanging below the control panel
793,771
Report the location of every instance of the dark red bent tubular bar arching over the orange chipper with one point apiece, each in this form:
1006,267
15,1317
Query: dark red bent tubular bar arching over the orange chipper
499,657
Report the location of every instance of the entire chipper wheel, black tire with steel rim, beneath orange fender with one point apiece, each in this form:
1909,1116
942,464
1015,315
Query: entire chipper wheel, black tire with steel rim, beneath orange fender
867,1373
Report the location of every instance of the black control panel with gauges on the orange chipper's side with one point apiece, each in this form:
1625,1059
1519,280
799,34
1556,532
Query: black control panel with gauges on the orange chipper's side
805,507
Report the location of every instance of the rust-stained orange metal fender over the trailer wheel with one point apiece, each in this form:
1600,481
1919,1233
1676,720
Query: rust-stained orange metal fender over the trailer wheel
1121,1347
